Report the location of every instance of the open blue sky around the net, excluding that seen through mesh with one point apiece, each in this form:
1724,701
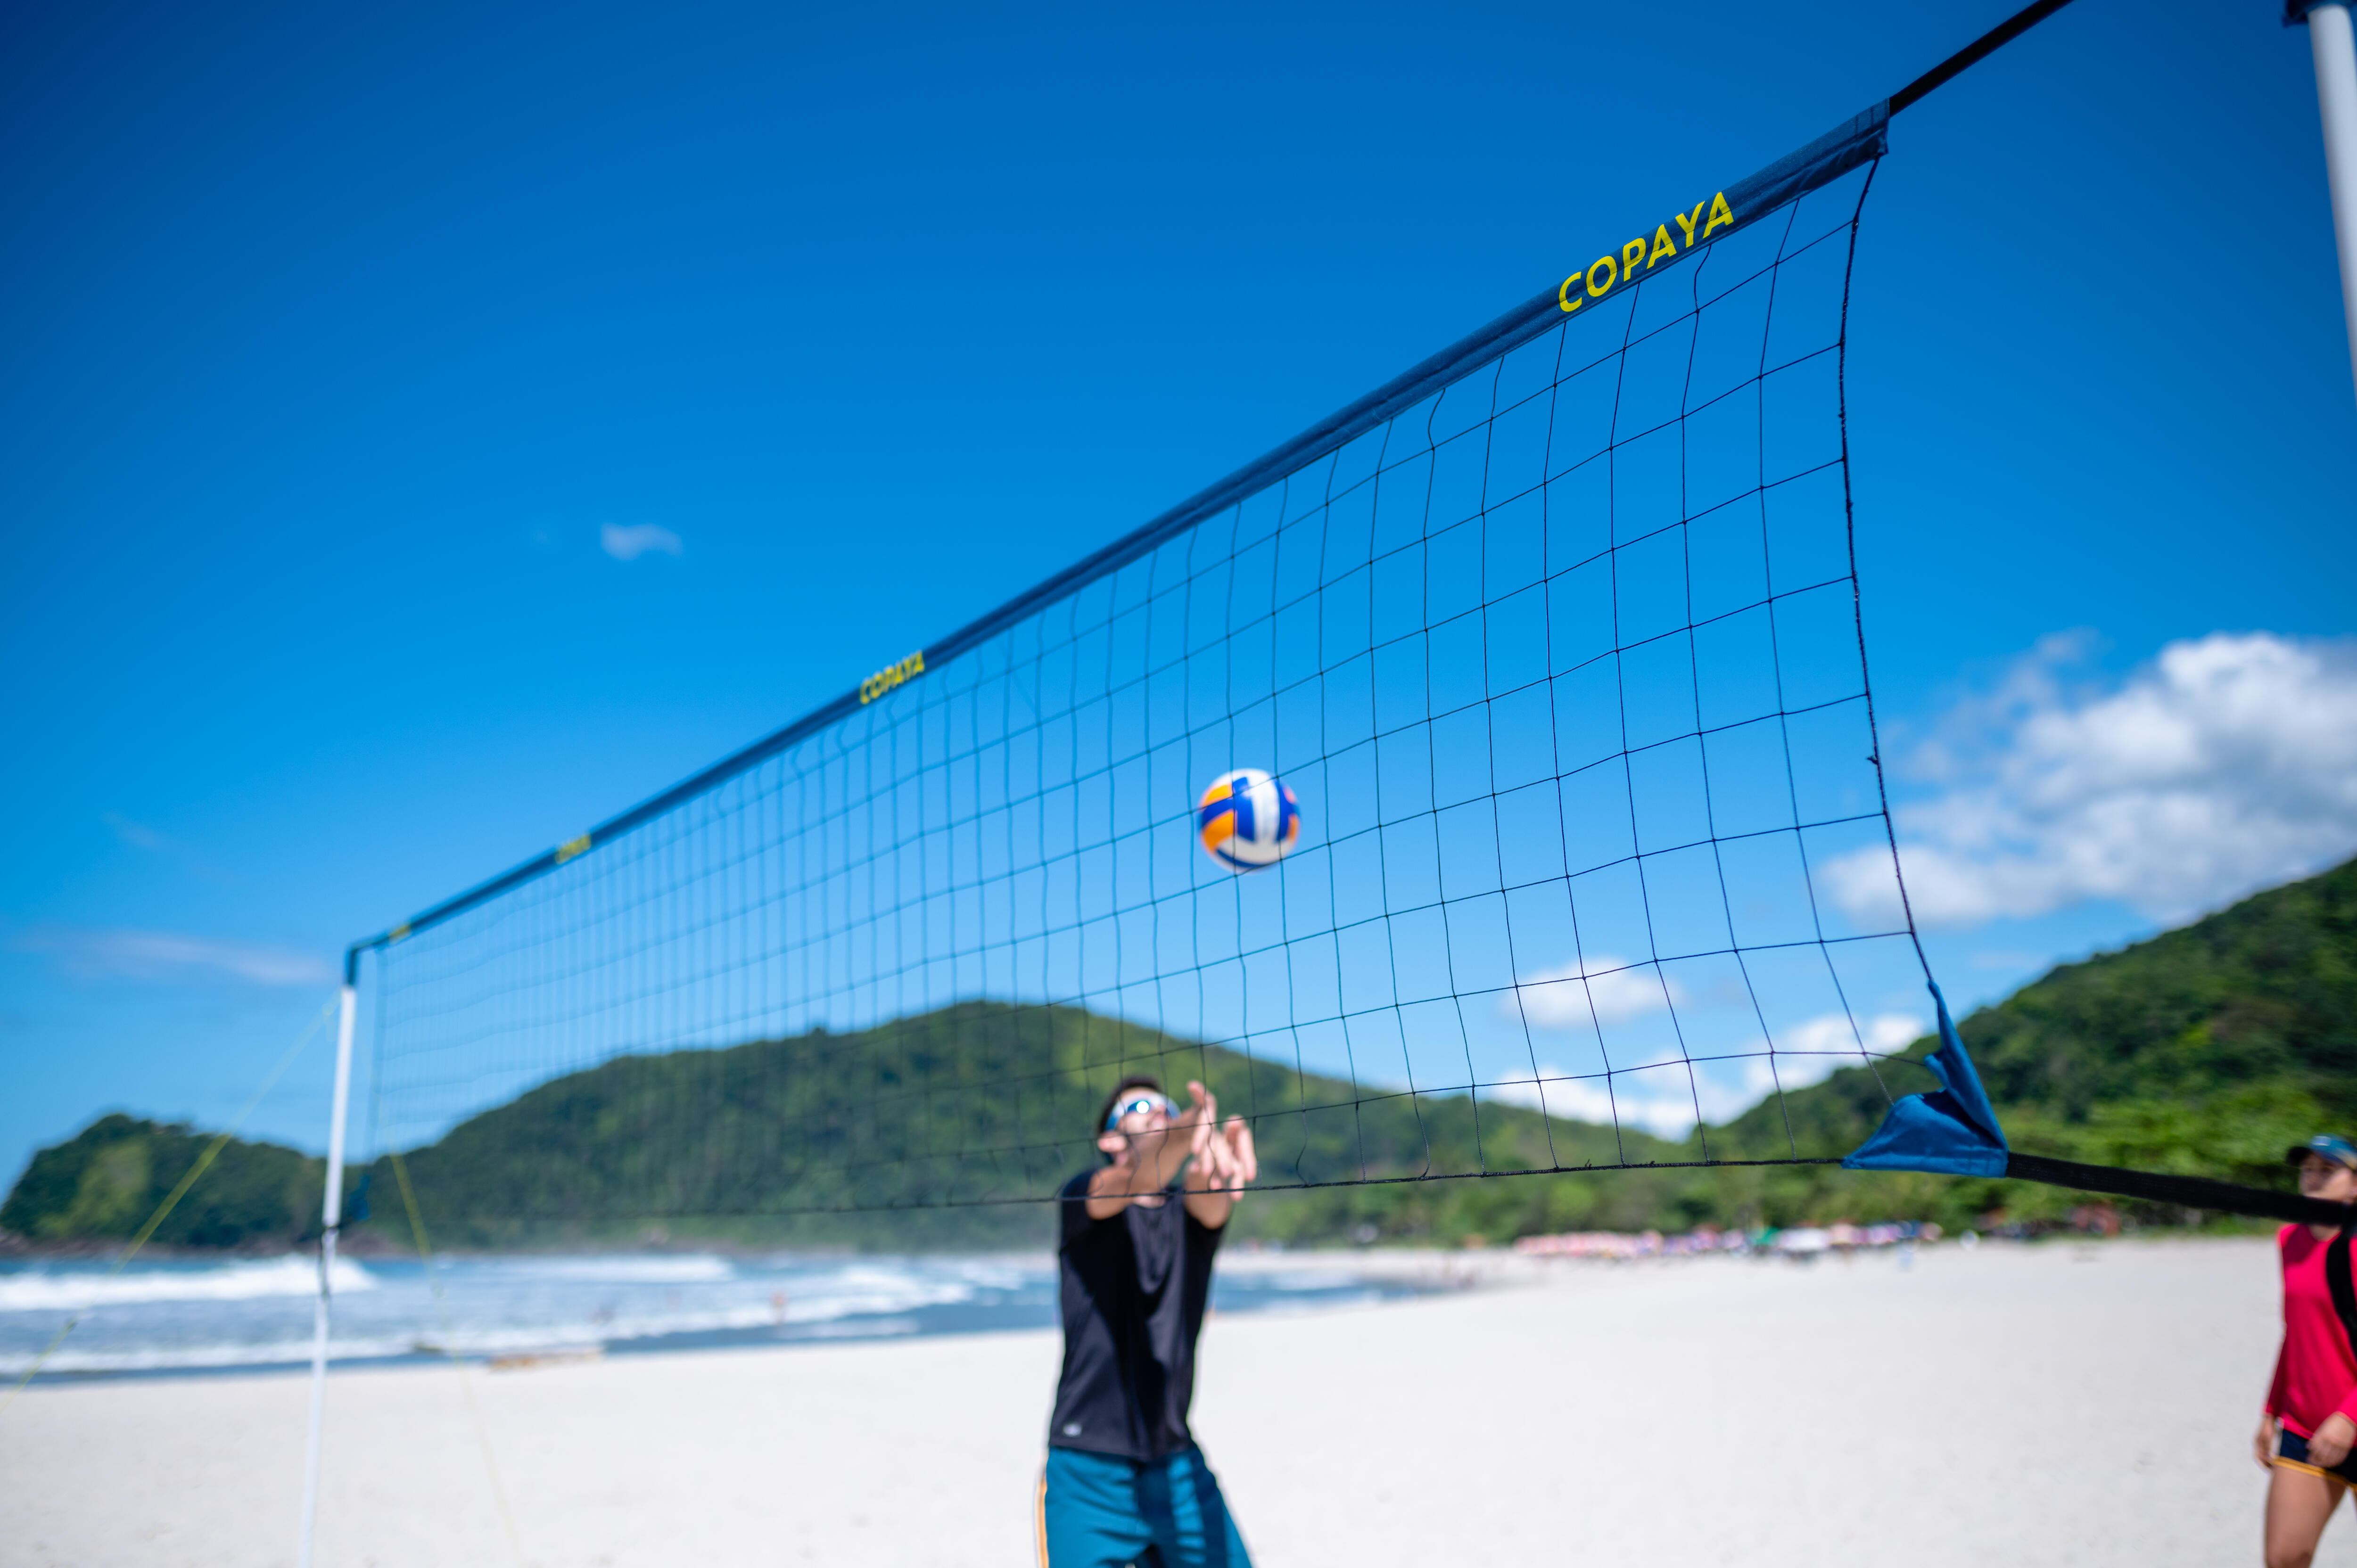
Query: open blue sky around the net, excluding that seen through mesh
343,348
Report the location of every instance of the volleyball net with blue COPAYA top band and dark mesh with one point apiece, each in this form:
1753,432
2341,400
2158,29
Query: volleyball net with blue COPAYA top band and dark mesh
1557,645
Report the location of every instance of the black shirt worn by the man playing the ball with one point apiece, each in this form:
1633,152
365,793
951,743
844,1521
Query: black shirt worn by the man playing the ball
1133,1289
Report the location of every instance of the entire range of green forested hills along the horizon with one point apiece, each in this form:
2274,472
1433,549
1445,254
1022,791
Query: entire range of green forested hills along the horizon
2205,1050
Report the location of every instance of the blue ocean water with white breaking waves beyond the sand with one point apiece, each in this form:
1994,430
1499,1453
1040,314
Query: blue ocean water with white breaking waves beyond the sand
202,1317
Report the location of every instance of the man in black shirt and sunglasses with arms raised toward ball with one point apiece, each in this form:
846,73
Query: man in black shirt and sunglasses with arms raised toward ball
1125,1480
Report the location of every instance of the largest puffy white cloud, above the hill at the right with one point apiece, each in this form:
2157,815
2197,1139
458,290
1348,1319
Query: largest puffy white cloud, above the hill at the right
2221,767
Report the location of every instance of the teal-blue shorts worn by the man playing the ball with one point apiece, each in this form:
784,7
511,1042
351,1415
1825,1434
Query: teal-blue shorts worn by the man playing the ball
1104,1513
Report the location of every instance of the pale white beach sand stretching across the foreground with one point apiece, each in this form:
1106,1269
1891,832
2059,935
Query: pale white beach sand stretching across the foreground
2061,1404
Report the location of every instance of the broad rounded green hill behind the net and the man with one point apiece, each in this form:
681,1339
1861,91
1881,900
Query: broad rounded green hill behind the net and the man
984,1102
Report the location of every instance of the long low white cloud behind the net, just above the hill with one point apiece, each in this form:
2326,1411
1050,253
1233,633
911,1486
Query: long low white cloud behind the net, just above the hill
1663,1102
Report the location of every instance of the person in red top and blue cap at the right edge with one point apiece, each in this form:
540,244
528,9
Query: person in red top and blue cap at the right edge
2311,1423
